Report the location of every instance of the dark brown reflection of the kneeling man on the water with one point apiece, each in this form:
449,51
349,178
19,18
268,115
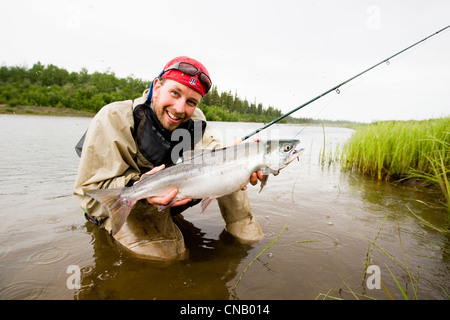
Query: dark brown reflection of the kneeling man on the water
117,274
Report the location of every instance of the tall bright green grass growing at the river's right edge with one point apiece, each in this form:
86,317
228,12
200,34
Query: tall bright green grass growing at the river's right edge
396,150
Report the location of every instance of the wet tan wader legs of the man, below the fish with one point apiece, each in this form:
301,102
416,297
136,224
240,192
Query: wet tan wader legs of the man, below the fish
152,234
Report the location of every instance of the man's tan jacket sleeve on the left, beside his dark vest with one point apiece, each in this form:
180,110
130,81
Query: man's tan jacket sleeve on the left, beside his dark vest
107,160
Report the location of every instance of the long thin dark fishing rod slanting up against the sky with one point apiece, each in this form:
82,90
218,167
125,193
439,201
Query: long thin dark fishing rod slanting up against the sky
336,88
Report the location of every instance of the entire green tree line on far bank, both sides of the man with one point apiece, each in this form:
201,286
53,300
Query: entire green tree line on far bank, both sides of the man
51,86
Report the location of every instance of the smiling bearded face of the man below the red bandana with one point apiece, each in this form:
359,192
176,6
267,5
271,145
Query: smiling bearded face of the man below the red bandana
173,103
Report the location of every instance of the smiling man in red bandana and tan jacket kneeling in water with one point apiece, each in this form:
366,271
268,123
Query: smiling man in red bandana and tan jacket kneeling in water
127,140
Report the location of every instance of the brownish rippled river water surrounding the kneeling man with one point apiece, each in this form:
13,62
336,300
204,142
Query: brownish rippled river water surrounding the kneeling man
330,218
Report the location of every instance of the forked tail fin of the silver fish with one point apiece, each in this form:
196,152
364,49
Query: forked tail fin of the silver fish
118,208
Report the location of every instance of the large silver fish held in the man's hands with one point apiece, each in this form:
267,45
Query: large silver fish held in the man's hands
202,174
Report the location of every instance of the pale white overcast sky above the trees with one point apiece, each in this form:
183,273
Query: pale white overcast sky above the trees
280,53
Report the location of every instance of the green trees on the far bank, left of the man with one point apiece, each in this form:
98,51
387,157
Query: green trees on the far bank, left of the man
50,86
